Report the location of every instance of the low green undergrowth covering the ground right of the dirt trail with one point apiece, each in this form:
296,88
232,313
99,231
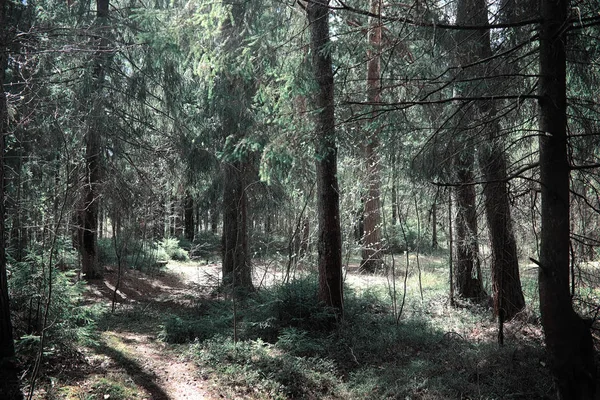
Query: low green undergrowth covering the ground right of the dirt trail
430,351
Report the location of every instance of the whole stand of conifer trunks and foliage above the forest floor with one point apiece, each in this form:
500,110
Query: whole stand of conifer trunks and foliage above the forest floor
316,135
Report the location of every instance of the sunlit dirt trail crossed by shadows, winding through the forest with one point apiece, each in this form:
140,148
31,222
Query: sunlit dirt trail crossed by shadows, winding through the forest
129,350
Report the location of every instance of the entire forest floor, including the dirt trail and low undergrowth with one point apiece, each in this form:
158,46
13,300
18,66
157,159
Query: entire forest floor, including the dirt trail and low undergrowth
424,349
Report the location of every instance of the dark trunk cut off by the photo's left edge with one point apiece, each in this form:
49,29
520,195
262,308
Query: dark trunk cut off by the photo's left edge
9,383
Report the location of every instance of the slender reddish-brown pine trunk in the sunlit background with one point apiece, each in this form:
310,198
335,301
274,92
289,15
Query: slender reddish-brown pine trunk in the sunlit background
371,254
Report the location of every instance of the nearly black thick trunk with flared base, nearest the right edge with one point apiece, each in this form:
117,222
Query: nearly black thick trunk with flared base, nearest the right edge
568,339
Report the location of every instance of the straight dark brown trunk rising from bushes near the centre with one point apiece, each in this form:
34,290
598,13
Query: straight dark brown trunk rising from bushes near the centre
329,242
